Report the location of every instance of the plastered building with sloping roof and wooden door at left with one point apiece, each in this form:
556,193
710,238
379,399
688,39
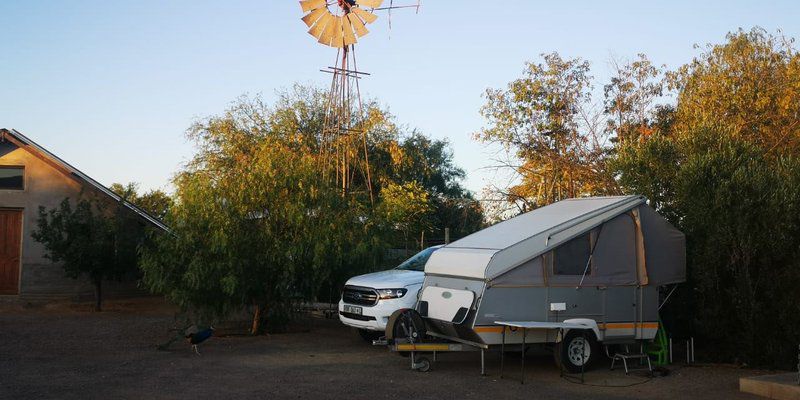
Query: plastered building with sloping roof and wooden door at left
30,177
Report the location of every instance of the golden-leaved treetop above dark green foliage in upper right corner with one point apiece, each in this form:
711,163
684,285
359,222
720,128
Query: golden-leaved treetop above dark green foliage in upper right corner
749,86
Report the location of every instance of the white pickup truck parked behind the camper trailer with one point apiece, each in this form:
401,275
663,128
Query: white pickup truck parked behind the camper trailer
369,300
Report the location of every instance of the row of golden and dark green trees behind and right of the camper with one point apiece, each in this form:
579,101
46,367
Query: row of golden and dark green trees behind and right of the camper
712,144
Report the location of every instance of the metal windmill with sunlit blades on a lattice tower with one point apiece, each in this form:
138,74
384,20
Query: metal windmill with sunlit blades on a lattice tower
343,145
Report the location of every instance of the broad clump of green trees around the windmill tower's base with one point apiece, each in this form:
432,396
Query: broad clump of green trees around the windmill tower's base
258,223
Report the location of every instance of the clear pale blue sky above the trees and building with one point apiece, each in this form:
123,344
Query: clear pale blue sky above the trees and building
112,86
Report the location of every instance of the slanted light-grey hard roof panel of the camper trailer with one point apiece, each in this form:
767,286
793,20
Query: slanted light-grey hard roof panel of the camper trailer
501,247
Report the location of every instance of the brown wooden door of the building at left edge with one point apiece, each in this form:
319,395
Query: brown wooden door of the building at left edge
10,242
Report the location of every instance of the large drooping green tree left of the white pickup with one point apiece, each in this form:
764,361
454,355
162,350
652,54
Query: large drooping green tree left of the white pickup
255,224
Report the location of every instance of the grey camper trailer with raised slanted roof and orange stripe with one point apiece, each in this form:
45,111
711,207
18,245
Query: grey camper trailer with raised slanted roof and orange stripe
595,263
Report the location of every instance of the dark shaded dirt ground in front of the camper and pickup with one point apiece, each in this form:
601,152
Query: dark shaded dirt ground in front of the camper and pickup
70,353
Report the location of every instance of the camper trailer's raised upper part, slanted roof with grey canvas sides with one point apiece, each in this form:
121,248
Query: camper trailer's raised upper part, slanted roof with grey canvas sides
598,241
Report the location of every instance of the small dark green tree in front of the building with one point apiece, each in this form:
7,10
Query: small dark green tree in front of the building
91,238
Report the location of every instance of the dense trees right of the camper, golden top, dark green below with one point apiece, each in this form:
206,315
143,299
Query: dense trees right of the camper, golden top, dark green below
723,166
